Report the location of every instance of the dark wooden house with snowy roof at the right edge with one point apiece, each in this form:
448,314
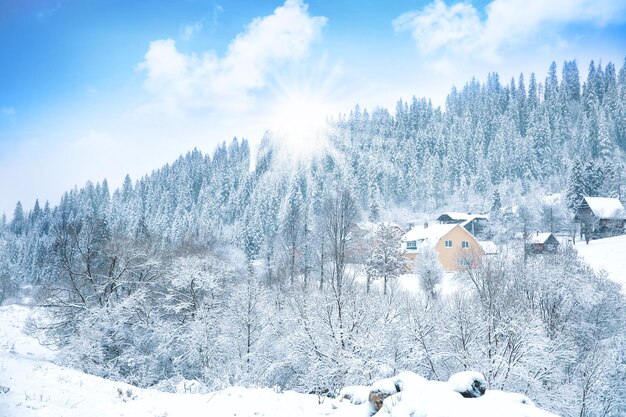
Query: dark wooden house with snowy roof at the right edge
600,217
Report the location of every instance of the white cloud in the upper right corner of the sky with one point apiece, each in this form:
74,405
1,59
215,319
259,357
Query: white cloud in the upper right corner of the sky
459,29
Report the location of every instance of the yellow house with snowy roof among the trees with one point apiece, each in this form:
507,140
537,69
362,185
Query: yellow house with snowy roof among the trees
456,248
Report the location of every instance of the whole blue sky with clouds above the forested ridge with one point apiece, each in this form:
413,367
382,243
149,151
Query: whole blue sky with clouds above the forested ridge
101,88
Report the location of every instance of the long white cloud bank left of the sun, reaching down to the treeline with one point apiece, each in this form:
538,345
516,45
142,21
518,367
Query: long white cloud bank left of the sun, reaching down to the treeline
208,92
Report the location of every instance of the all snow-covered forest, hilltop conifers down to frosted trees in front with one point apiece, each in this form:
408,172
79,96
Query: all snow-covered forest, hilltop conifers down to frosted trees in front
234,271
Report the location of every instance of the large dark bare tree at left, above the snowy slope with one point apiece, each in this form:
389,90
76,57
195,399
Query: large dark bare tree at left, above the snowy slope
93,271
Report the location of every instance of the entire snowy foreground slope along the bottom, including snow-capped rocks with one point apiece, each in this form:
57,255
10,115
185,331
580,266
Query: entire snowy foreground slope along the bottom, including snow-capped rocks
32,385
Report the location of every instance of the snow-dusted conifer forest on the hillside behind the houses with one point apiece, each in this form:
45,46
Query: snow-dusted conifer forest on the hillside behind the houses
518,139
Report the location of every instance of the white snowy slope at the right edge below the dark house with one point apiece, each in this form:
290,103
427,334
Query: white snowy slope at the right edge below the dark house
607,254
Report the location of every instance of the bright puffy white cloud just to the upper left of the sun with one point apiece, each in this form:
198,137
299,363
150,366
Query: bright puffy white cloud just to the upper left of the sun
178,82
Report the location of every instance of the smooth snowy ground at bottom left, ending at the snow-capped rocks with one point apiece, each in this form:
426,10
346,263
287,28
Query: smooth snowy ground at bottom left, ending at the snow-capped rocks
38,387
